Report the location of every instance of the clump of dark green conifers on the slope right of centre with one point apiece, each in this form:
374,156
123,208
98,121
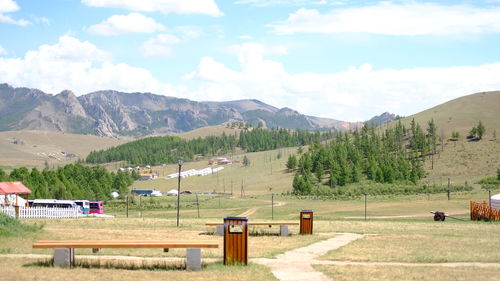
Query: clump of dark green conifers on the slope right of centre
395,155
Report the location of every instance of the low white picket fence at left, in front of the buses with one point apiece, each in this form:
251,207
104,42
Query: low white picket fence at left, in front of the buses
42,212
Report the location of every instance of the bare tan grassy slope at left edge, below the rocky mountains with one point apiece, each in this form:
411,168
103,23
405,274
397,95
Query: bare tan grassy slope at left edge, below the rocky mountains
32,148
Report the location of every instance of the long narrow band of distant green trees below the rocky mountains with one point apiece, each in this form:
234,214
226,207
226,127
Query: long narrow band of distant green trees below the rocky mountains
168,149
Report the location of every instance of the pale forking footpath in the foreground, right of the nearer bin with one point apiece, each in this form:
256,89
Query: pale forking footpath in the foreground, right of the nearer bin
297,264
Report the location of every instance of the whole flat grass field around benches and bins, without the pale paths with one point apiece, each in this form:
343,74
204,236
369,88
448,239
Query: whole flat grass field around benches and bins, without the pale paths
398,229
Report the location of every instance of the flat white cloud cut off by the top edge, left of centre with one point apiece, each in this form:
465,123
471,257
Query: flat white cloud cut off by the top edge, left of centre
205,7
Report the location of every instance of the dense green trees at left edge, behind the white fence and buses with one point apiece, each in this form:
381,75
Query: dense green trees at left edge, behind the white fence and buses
73,181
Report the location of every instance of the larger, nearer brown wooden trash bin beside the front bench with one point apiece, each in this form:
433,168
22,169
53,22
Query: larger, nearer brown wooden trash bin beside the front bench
235,240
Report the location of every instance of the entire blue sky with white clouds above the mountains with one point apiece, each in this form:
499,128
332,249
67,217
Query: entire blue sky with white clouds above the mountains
347,60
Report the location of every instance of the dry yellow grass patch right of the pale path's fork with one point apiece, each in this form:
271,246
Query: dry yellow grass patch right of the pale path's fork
413,241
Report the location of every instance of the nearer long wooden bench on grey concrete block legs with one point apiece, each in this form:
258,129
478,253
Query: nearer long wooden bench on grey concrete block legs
64,251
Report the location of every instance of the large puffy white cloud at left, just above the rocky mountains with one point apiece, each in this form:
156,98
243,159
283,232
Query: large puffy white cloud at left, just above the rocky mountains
78,66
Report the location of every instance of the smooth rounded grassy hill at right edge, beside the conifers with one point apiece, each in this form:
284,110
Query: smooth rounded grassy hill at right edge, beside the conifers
462,160
